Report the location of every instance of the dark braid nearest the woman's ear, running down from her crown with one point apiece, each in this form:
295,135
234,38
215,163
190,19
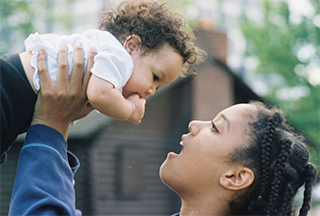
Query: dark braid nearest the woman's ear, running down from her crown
273,122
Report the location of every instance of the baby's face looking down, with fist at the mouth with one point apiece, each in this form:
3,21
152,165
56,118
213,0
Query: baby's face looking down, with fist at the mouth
153,70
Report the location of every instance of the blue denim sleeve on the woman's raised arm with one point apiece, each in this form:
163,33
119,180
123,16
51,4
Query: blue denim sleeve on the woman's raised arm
44,178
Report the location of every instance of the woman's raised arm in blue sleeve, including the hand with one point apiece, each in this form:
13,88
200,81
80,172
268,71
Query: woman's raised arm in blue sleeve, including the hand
44,179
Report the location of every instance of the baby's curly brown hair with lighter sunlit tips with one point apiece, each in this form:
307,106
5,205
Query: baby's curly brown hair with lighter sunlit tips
156,25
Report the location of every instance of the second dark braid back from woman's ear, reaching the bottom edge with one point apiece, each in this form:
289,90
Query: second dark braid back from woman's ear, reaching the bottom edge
279,167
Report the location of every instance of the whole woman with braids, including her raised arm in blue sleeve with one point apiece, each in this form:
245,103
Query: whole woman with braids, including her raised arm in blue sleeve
246,161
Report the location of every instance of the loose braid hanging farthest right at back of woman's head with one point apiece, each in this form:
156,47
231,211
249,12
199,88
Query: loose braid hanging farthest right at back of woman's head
311,175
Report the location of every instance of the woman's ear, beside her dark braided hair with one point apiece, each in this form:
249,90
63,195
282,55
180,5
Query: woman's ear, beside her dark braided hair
237,179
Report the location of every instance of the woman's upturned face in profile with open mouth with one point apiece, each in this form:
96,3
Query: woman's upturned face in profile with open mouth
205,150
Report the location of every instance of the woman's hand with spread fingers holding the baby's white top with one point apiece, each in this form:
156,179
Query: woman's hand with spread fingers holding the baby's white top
63,101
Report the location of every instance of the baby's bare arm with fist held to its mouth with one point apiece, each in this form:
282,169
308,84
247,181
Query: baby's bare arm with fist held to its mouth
109,101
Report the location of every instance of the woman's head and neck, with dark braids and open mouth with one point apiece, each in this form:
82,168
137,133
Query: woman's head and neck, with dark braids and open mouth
246,161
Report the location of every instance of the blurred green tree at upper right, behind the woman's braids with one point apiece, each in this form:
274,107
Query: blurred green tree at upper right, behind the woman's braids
288,56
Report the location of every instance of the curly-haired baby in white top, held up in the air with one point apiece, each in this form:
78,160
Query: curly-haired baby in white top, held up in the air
141,46
